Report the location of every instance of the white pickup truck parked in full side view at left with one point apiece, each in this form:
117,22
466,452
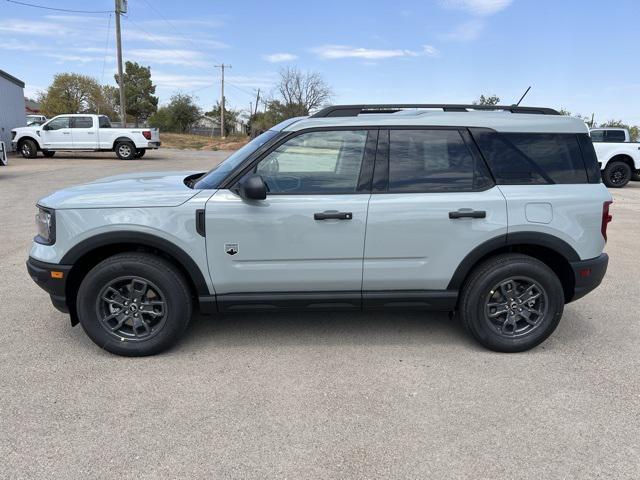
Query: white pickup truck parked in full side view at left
83,132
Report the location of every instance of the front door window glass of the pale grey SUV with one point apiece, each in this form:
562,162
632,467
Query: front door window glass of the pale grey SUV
315,162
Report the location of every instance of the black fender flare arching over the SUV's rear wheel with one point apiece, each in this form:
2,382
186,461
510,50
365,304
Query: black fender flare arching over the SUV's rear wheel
511,239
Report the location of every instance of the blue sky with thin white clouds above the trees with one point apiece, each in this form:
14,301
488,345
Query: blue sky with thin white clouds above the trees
580,55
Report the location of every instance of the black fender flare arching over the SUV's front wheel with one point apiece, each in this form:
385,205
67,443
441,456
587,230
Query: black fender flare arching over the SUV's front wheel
145,240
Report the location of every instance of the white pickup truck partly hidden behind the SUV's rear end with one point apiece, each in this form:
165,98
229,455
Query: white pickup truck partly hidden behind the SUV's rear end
618,156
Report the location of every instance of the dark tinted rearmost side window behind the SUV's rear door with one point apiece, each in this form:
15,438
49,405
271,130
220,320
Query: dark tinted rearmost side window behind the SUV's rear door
532,158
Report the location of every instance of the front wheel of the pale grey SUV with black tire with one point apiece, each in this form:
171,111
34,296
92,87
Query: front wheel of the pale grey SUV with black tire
101,304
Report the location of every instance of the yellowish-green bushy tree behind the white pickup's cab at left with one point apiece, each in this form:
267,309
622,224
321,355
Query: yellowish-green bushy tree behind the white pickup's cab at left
71,93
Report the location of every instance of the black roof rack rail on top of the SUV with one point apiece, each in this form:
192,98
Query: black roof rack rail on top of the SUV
355,110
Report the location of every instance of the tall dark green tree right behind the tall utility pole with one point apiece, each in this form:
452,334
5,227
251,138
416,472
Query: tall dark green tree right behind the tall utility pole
138,92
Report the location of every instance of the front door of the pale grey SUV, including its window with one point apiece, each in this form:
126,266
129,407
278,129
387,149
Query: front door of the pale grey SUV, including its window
308,234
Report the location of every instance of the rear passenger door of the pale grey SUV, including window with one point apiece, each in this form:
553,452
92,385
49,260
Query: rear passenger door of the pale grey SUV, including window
433,202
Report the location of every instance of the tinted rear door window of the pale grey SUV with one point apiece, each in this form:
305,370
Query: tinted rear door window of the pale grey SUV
432,161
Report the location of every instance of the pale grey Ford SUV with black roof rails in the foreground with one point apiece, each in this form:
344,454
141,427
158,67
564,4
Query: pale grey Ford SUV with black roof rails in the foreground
495,213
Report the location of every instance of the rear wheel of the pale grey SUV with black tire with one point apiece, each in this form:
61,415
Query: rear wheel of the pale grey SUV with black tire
482,299
